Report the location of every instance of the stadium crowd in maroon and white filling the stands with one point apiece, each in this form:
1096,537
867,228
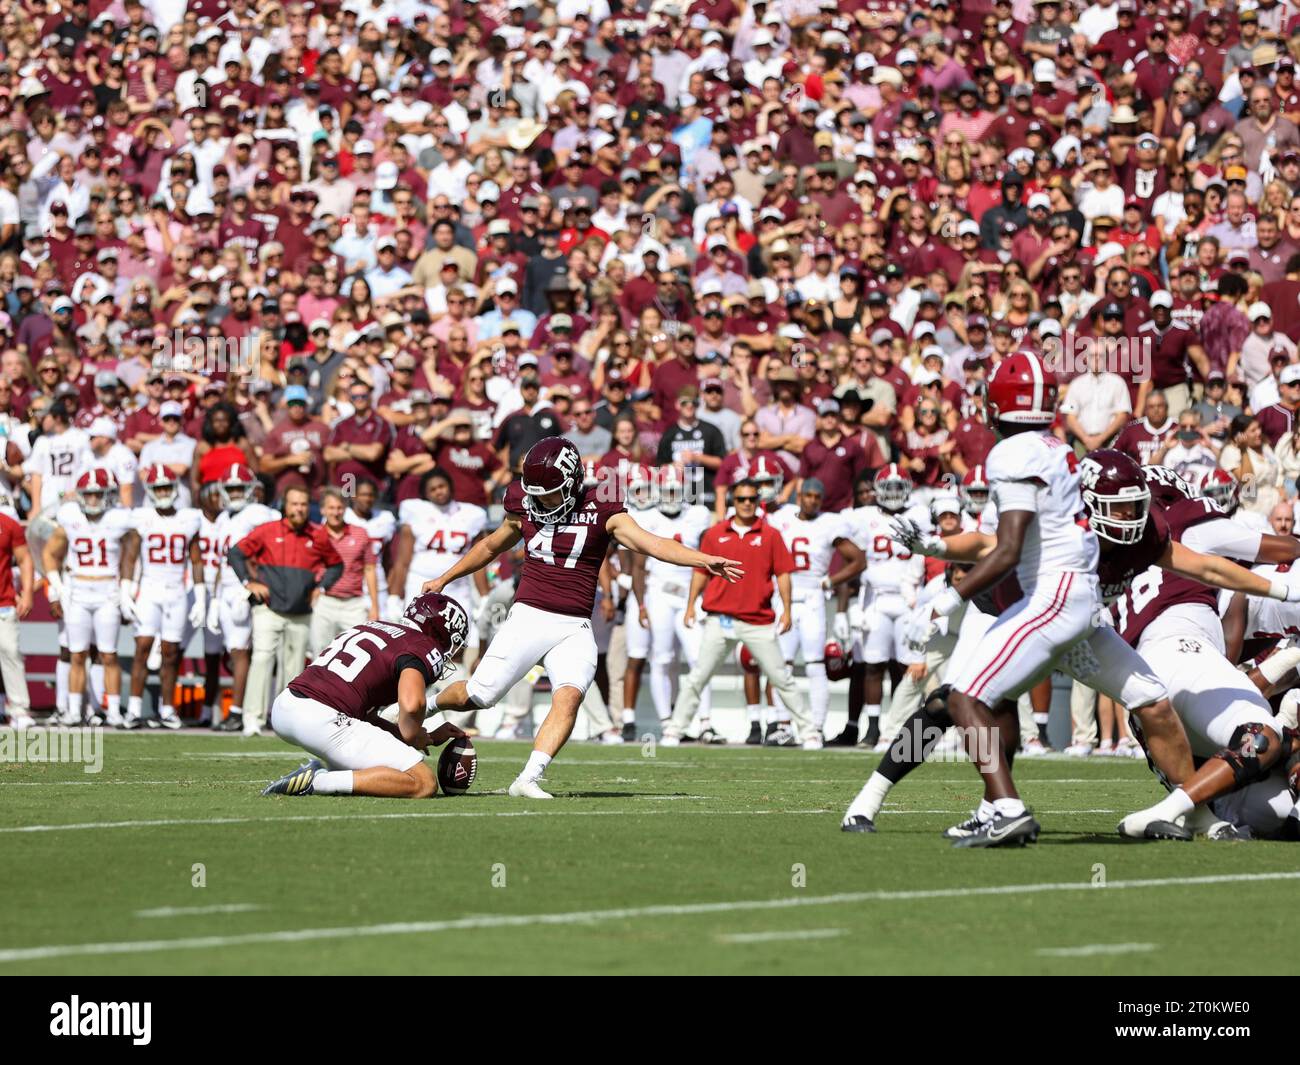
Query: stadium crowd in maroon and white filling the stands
346,245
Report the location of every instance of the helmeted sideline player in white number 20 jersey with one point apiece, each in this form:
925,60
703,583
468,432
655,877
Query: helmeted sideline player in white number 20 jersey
168,539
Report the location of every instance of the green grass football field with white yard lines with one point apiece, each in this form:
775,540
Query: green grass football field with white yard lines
694,861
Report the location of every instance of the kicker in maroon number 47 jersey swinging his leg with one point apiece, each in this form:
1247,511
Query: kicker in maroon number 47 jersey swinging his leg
569,531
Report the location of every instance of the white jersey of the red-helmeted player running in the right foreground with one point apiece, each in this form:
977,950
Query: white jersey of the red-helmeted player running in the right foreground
1059,539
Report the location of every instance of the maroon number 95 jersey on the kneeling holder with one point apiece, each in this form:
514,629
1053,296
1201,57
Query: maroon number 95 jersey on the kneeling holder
359,672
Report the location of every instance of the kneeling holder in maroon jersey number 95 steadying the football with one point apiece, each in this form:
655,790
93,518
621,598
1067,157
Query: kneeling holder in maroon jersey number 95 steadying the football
332,709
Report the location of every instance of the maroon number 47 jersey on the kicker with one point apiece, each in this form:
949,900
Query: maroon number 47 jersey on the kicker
564,561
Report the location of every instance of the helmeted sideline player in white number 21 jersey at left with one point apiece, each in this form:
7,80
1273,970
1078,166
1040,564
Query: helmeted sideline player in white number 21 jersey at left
96,539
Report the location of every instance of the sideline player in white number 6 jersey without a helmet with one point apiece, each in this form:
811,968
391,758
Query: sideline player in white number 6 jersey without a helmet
814,540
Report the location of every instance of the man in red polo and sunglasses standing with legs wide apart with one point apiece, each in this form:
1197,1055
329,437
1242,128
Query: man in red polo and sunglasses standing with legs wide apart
743,612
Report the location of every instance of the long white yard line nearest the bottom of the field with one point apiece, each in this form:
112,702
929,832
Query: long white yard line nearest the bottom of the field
588,917
